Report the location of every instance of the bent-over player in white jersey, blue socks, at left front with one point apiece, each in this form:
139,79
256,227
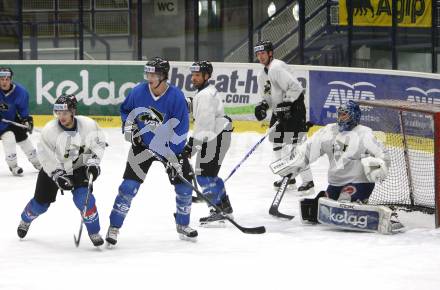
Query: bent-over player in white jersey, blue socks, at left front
70,151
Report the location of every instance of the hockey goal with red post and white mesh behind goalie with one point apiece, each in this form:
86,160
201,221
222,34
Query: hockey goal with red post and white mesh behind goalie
411,133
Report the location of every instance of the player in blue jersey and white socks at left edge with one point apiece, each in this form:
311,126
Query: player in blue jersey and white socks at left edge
14,107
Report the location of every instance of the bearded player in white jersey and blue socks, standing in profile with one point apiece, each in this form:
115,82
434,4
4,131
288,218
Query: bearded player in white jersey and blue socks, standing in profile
210,141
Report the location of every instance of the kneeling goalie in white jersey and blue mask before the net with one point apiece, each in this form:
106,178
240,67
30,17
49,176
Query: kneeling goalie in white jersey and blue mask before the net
357,161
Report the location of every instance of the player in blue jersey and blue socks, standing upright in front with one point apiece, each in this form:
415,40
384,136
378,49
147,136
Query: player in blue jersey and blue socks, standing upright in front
154,116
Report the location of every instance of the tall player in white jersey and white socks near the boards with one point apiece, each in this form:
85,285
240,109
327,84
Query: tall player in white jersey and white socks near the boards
282,93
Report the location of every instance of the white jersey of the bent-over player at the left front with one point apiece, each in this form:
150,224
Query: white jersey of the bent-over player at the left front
68,150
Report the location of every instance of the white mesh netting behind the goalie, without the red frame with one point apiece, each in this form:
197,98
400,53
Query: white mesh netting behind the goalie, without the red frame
409,139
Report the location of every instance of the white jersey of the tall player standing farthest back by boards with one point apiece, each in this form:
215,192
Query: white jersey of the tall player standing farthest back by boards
278,84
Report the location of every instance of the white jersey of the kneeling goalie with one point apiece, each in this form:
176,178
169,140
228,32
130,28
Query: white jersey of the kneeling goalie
345,151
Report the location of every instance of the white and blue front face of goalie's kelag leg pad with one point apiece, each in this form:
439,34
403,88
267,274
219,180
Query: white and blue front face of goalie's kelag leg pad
353,216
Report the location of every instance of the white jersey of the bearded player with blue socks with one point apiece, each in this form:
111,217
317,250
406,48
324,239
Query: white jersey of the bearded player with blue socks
208,113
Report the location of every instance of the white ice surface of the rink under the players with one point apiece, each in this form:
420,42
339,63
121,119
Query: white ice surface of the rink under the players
149,254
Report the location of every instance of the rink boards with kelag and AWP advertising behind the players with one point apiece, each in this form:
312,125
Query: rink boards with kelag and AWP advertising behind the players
101,86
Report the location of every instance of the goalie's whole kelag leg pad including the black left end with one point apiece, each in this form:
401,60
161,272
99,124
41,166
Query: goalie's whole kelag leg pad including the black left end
347,215
